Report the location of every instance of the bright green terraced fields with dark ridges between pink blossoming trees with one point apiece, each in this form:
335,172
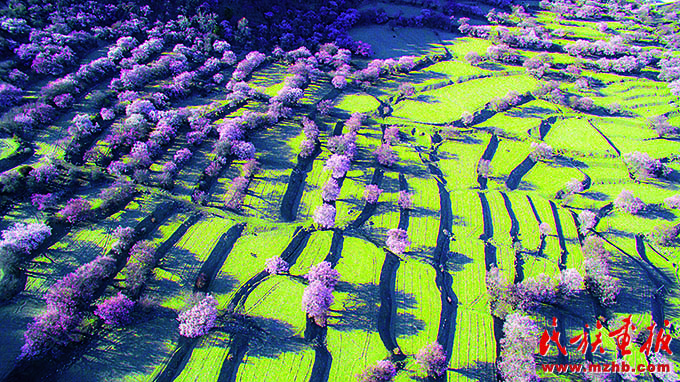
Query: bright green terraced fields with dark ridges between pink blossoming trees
484,199
